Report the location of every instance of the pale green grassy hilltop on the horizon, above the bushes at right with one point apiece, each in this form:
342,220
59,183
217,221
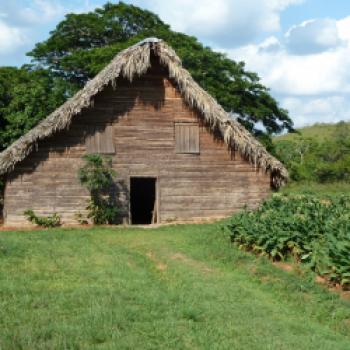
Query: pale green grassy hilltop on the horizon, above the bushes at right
318,132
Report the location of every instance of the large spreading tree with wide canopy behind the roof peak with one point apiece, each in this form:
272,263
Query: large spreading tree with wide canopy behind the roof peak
82,44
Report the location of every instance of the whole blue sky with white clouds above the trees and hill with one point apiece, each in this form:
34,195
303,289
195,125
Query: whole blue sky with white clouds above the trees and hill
300,48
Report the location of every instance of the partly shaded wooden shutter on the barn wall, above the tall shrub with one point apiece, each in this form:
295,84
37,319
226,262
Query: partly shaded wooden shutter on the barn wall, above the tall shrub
100,141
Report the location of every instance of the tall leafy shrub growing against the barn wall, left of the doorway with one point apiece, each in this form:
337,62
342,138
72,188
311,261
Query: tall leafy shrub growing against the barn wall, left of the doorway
98,176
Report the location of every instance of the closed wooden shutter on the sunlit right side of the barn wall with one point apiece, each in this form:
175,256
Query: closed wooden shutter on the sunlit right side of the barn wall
187,138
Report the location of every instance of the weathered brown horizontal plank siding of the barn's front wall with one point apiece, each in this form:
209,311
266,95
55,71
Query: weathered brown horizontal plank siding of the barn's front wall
211,184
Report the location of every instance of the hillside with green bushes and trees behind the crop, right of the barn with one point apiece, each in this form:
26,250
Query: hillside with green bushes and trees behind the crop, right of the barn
318,153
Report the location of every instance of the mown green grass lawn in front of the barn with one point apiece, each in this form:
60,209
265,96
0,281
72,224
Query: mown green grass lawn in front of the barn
175,287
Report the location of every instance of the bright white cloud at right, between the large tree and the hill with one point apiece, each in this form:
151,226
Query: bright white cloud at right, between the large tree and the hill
322,73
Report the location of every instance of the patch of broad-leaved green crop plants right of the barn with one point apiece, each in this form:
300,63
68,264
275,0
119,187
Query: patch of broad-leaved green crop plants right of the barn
311,229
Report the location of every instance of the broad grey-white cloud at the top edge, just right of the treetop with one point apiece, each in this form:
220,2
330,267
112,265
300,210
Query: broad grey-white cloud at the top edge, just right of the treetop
227,23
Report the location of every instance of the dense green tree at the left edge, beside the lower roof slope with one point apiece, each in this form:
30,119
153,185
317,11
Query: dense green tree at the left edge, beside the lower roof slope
26,97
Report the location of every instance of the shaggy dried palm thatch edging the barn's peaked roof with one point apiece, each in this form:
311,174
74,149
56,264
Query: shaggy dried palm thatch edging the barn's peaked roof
134,62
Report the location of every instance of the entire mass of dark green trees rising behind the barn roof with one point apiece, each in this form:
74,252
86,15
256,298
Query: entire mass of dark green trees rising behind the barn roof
82,44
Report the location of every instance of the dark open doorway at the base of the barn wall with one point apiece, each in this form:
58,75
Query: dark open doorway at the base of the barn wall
143,204
